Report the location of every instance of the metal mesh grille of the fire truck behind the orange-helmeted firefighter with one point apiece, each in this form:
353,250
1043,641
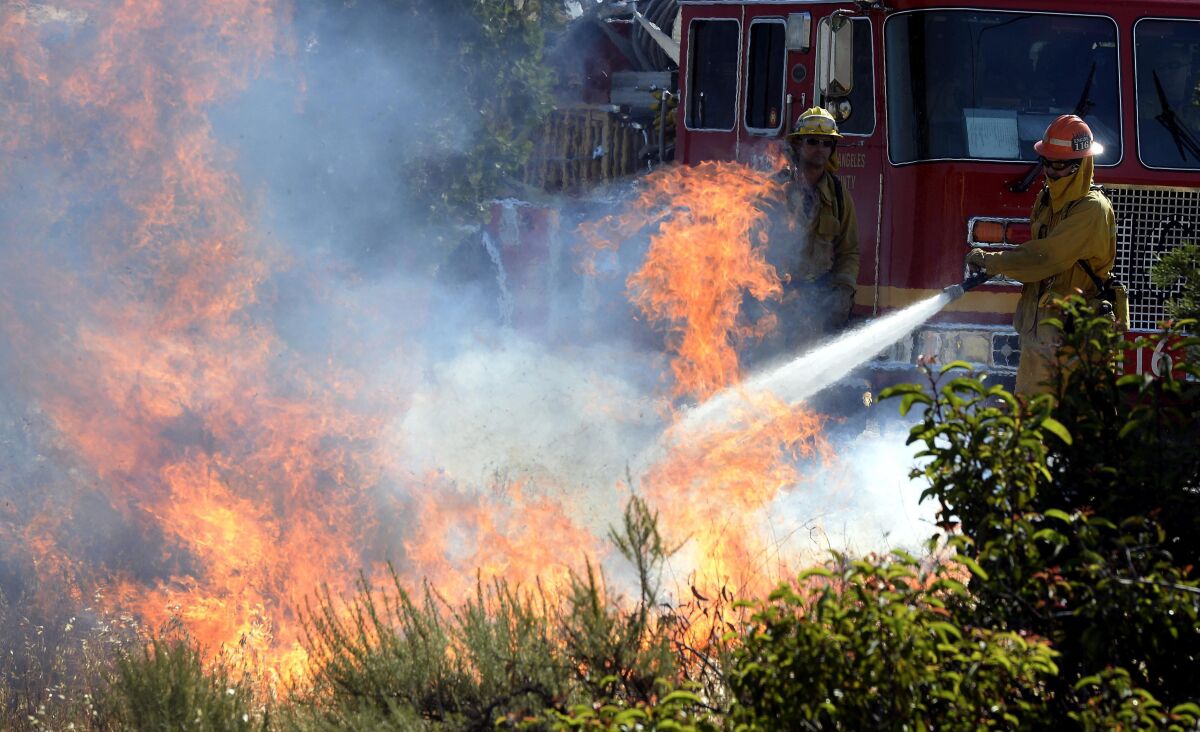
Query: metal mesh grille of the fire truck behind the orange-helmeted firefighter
1151,221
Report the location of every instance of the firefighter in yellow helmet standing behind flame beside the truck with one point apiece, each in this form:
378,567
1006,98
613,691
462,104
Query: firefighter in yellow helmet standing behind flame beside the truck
817,250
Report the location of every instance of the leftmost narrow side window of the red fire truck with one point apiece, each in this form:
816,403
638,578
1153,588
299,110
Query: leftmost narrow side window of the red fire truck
713,75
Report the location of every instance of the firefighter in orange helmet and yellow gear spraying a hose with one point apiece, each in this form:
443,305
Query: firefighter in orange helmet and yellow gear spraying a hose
1073,249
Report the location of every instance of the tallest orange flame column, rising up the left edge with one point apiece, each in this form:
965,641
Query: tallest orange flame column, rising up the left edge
172,395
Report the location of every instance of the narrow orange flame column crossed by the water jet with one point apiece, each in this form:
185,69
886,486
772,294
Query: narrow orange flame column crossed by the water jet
706,254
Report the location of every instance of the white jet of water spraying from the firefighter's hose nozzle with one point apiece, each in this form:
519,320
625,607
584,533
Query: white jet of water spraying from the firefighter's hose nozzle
801,379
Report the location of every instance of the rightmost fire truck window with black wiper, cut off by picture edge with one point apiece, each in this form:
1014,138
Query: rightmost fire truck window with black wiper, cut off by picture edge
1167,59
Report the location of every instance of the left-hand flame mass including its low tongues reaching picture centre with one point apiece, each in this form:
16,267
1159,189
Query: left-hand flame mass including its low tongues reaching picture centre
243,475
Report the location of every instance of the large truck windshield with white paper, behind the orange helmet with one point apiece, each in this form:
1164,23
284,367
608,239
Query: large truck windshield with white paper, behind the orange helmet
986,85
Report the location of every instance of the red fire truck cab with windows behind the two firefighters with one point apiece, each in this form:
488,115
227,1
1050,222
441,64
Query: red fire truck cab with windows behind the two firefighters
940,105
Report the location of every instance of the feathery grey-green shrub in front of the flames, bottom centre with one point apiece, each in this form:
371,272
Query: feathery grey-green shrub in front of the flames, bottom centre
506,658
